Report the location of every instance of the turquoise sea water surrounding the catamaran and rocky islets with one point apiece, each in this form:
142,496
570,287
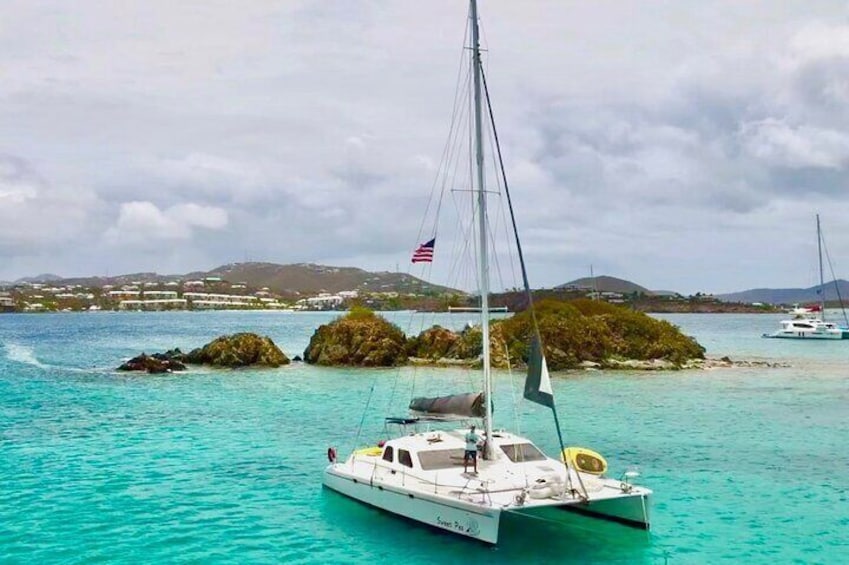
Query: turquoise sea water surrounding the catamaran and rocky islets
225,466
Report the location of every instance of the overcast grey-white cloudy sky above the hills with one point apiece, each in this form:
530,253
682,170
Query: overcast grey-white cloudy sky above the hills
684,146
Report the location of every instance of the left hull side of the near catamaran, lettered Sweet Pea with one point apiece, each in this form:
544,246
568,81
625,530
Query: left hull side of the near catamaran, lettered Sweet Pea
457,517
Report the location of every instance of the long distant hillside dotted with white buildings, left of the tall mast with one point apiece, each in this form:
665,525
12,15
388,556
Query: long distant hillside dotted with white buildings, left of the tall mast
302,278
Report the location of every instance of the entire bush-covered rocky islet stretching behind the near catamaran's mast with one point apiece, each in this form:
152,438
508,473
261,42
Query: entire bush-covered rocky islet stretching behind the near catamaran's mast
573,333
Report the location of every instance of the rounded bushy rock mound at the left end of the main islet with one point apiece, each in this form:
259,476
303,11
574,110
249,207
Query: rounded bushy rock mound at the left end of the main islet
360,338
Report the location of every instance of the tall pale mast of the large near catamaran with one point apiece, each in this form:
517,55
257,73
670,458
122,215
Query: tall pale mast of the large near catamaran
483,254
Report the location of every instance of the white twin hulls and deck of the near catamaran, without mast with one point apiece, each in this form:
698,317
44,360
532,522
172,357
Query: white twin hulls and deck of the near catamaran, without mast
472,504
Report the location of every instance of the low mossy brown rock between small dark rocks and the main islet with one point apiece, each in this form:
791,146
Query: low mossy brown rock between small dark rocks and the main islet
239,350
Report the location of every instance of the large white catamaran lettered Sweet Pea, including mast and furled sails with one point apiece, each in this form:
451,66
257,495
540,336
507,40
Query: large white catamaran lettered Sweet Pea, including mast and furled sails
419,472
